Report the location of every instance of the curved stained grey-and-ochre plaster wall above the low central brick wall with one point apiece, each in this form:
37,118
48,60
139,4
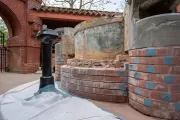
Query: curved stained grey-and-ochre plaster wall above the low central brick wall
100,38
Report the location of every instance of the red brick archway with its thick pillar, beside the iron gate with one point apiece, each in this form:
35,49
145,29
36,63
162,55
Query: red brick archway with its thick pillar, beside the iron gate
23,47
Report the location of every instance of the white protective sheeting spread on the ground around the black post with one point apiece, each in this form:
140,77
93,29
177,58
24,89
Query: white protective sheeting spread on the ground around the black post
47,106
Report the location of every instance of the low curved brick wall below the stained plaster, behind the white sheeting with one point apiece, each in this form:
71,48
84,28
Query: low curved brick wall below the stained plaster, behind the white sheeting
95,83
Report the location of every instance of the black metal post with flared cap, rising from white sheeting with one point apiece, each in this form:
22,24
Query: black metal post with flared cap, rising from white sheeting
47,37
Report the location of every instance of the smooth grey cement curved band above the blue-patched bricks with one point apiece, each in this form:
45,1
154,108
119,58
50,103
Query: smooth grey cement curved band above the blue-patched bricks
157,31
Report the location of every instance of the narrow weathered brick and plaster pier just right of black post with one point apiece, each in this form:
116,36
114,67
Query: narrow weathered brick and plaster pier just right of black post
63,50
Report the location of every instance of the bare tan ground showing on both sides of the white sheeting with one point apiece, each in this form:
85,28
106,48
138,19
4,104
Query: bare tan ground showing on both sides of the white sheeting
11,80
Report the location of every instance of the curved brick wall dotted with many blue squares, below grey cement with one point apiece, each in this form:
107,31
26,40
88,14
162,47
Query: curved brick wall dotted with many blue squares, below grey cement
154,81
